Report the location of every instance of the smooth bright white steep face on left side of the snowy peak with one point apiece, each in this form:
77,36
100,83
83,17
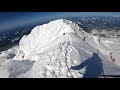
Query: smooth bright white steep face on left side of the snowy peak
42,36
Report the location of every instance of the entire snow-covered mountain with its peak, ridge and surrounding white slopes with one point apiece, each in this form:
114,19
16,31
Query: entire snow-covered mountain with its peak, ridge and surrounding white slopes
60,49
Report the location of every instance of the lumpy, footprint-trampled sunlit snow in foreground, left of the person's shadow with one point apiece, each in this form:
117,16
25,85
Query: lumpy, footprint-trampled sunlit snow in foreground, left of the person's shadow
55,63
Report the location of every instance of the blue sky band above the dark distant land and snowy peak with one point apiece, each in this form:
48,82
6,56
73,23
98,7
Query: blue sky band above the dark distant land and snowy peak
10,20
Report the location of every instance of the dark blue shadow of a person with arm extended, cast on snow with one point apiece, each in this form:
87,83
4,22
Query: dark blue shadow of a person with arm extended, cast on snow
94,67
